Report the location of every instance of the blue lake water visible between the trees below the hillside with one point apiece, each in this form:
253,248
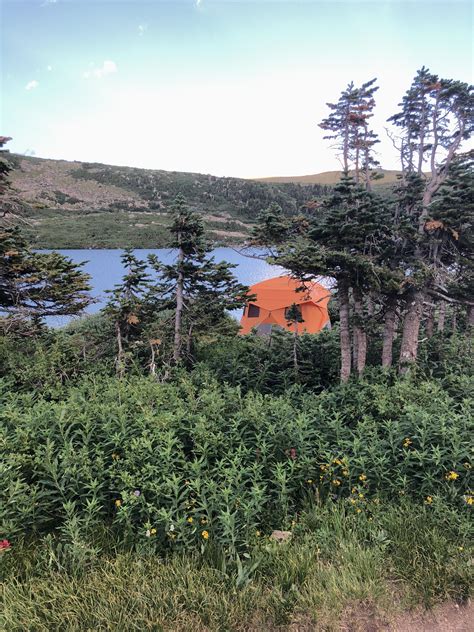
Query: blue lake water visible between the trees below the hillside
106,270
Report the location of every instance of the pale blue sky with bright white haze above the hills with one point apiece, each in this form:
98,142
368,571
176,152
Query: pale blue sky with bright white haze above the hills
227,87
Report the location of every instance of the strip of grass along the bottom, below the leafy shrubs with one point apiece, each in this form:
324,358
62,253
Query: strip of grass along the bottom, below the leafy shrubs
330,564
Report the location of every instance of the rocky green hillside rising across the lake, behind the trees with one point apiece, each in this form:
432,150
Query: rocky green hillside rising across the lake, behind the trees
91,205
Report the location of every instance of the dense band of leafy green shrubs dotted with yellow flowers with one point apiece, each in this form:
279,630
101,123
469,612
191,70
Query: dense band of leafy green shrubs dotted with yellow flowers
194,465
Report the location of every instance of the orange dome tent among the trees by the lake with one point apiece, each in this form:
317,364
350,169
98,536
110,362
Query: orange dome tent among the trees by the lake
273,299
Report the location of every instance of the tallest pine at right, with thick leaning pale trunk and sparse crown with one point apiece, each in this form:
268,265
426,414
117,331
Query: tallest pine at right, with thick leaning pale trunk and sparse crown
436,116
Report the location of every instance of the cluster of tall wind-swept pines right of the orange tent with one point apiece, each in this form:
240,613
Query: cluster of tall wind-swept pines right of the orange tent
403,264
